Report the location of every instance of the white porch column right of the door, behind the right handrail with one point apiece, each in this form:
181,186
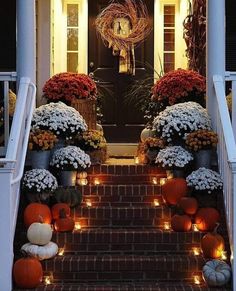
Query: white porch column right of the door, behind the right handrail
215,54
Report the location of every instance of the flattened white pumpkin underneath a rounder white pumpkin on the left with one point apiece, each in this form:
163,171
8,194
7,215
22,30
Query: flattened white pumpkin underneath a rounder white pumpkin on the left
41,252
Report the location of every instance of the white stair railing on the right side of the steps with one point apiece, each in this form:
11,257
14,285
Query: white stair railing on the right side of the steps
227,162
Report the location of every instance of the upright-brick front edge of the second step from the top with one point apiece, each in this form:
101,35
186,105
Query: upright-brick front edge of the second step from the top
121,190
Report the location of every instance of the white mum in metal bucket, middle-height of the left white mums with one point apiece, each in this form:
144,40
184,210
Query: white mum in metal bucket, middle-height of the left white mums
70,158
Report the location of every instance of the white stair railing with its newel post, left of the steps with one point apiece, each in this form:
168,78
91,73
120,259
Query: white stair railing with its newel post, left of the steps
11,171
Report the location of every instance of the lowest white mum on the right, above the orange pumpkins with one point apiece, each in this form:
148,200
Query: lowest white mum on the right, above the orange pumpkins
205,179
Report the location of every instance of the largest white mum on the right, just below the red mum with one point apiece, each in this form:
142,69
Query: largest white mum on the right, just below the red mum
178,120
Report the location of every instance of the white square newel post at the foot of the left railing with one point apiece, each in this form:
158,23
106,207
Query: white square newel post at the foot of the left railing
6,232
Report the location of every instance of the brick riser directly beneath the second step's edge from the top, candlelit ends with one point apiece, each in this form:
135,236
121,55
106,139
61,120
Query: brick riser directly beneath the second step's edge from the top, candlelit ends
100,200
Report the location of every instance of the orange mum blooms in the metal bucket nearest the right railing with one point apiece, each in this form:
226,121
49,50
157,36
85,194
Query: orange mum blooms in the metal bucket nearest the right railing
201,139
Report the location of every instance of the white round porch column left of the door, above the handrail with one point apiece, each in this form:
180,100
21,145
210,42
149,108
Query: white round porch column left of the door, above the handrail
26,40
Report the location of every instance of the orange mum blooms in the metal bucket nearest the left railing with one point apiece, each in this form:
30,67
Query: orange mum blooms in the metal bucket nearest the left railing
41,140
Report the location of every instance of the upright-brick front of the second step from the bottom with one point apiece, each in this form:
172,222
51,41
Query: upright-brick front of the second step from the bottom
116,264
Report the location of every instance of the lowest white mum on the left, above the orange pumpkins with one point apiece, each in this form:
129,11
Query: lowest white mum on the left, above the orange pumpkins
39,181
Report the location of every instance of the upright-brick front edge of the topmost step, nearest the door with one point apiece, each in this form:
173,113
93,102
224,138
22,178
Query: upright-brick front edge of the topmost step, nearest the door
125,170
